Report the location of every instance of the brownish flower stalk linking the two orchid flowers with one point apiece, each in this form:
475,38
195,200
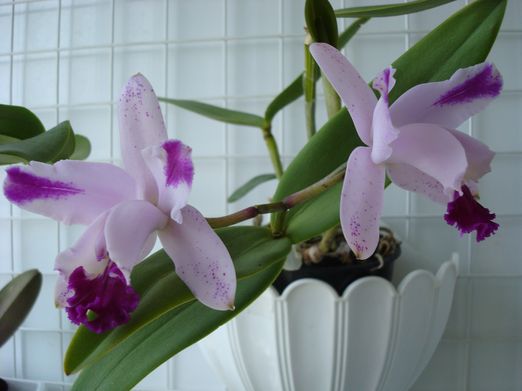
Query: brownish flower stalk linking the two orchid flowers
288,202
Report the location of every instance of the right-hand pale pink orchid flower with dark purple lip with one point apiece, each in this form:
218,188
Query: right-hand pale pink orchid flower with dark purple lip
415,143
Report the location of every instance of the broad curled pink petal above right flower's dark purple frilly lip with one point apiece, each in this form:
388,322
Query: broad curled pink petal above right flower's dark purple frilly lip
434,151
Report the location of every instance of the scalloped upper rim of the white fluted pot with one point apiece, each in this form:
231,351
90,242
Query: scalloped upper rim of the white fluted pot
450,266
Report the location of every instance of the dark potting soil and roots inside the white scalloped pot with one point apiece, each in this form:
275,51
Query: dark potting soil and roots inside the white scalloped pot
339,268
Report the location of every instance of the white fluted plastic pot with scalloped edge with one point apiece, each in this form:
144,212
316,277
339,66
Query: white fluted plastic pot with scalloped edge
374,337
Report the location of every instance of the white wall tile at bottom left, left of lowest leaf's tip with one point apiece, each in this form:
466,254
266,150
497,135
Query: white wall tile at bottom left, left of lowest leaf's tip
35,346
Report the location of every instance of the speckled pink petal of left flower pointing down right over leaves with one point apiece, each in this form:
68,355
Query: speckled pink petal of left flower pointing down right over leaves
202,260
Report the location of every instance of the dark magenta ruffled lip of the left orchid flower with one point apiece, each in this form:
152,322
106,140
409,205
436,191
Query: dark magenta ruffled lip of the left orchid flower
101,303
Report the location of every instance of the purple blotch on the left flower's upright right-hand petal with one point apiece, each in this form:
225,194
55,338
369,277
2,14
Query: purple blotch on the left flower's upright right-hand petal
179,166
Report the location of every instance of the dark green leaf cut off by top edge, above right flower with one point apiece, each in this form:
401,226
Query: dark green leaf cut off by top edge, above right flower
321,22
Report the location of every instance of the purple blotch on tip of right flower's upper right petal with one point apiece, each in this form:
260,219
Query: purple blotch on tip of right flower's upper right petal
485,84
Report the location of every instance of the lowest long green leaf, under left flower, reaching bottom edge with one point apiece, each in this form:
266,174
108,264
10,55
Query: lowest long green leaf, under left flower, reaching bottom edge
155,343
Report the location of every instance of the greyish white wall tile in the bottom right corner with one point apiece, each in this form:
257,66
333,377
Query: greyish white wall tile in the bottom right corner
495,366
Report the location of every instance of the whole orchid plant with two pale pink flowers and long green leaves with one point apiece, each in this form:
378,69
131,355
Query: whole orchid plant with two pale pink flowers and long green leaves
136,311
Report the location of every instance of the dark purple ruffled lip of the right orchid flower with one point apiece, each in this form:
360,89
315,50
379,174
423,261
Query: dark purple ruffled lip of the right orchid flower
468,215
